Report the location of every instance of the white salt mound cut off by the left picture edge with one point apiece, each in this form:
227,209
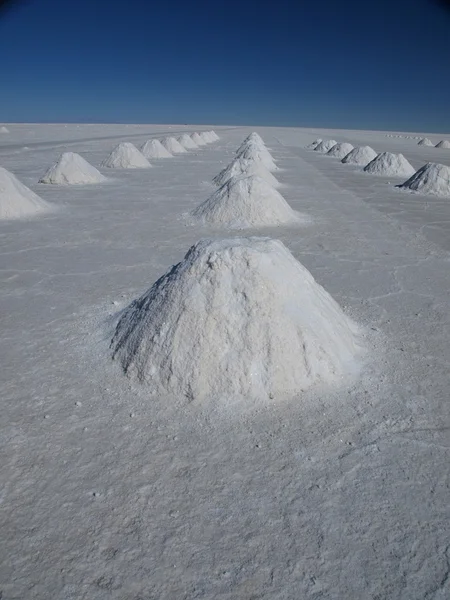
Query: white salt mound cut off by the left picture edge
16,200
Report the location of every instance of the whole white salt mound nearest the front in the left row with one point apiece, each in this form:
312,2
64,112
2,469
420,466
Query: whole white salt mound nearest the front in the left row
72,169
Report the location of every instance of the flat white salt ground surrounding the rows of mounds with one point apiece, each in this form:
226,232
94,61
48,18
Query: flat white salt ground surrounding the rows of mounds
110,494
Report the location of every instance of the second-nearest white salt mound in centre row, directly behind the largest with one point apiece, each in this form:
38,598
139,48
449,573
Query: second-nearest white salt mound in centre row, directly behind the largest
246,202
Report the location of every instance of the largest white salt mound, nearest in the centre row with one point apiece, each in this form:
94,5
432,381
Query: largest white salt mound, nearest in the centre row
236,318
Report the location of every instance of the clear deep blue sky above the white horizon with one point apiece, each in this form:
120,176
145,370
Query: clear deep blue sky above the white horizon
319,63
